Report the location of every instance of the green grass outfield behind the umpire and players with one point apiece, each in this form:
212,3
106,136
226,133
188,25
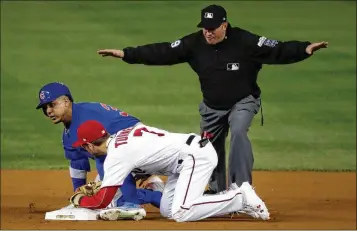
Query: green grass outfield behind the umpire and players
309,107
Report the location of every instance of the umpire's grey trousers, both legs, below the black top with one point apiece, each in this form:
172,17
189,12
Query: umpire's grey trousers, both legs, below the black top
238,119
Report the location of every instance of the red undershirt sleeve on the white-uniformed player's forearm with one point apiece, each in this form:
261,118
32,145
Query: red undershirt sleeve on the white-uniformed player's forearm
100,200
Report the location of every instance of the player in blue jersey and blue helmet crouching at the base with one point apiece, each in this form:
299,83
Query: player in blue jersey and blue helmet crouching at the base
57,104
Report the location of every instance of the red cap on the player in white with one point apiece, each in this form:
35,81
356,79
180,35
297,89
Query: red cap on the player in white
88,132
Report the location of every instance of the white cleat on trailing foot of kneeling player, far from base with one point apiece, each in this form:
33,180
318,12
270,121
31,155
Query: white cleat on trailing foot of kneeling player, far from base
252,204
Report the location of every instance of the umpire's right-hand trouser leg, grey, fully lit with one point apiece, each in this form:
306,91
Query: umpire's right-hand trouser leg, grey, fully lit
241,158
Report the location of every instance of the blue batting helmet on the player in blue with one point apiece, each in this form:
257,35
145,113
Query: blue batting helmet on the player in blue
52,91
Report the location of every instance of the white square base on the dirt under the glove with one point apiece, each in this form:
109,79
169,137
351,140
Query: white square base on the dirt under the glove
70,213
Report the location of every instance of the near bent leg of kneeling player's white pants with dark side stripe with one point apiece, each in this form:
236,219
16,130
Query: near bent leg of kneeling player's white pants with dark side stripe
189,203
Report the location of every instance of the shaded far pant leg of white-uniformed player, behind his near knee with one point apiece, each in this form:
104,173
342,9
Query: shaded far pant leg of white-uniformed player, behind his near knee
168,196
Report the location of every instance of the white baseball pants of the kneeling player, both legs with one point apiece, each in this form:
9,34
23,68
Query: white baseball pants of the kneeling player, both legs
183,198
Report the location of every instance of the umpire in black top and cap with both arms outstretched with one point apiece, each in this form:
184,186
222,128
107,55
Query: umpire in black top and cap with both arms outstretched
227,61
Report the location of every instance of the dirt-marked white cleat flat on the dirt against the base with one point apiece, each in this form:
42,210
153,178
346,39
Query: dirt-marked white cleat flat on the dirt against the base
122,213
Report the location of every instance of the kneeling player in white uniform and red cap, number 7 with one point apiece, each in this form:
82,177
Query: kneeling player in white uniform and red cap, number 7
184,158
